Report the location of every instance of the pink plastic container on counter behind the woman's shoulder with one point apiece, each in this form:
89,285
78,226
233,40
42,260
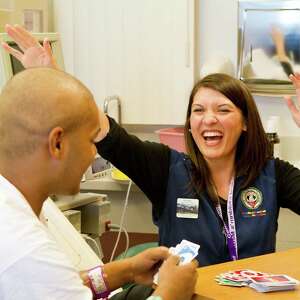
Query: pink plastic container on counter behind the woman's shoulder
173,137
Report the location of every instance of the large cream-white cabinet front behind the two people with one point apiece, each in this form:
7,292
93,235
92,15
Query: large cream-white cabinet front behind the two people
142,51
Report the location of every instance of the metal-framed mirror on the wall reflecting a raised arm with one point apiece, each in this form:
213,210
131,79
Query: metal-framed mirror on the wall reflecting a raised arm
269,45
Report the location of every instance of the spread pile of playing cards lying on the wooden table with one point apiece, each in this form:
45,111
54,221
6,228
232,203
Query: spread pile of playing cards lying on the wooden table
261,282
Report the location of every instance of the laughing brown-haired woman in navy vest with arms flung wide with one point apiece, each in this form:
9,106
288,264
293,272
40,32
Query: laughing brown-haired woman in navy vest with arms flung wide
228,158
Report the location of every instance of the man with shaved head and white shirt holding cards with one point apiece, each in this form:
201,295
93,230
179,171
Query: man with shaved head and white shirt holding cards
49,124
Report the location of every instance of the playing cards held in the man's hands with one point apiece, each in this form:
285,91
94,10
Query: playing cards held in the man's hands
186,250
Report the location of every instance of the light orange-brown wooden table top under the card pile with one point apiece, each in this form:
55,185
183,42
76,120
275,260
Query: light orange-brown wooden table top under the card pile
285,262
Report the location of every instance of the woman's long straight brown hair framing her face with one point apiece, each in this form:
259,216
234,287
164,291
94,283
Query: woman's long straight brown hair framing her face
253,148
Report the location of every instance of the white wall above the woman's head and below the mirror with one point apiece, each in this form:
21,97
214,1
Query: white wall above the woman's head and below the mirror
218,37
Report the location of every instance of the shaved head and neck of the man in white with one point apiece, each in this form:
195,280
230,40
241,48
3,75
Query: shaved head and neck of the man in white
40,112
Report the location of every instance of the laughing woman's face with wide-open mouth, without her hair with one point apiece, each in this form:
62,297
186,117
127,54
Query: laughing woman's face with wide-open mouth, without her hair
216,125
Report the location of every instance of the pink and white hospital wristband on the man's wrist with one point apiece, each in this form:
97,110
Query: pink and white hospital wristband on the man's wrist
97,282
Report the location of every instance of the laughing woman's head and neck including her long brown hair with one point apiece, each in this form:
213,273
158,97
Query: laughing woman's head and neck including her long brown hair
223,120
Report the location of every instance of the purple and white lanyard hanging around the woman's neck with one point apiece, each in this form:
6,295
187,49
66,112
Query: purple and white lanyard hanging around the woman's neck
230,231
